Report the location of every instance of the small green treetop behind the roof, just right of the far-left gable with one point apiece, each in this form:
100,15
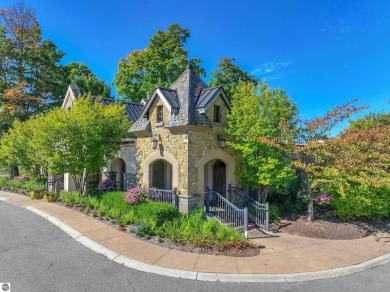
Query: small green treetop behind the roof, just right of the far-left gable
79,74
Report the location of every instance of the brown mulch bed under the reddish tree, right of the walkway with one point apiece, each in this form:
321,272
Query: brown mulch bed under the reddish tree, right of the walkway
326,226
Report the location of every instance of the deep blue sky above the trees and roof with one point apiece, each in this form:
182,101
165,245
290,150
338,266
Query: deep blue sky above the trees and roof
322,53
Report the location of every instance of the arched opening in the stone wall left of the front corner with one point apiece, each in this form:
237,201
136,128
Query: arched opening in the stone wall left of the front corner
160,174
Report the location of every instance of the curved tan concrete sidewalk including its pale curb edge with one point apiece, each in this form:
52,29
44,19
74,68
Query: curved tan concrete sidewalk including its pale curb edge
282,257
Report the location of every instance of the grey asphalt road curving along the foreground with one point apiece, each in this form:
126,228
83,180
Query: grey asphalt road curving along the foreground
35,255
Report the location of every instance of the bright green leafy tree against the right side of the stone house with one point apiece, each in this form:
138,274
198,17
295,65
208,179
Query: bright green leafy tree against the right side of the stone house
260,122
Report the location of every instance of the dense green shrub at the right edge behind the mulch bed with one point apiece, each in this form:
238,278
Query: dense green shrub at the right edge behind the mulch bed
361,201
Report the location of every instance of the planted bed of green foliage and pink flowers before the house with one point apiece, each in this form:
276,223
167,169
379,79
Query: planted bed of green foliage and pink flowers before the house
160,223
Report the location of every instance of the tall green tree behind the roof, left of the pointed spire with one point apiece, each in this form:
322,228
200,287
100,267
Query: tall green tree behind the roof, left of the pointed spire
160,64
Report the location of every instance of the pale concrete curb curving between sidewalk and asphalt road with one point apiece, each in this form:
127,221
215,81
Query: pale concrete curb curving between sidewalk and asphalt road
201,276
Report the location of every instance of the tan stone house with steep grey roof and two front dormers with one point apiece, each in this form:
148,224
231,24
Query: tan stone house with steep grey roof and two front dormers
180,141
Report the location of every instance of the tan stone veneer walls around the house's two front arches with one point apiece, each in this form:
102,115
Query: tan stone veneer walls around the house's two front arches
188,144
